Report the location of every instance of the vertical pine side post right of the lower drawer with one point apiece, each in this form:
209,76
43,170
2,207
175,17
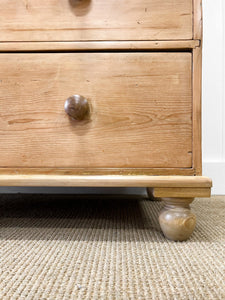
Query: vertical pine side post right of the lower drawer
197,115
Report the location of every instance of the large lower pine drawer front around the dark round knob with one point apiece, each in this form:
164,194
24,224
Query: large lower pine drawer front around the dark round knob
141,110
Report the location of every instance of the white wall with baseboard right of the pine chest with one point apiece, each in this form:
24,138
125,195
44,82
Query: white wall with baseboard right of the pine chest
213,101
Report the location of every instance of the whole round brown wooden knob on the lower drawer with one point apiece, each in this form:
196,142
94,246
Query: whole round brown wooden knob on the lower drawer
77,107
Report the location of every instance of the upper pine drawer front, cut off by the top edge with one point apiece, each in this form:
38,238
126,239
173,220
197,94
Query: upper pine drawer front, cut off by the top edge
71,20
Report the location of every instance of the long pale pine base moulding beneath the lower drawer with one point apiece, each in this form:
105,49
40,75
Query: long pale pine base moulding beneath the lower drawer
104,181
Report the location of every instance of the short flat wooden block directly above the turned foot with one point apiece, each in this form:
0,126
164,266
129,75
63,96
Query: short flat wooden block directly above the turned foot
182,192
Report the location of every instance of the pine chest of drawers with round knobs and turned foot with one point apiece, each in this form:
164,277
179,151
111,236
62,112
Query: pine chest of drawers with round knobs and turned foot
104,93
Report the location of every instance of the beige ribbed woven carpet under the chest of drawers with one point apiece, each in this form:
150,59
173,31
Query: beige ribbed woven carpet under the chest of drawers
106,247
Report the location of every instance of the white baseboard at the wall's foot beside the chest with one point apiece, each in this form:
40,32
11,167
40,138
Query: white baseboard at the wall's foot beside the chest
216,171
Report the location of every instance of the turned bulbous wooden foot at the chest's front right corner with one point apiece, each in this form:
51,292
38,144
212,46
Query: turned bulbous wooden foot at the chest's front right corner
176,219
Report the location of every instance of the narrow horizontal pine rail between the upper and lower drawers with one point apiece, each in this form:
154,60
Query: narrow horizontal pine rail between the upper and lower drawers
97,45
